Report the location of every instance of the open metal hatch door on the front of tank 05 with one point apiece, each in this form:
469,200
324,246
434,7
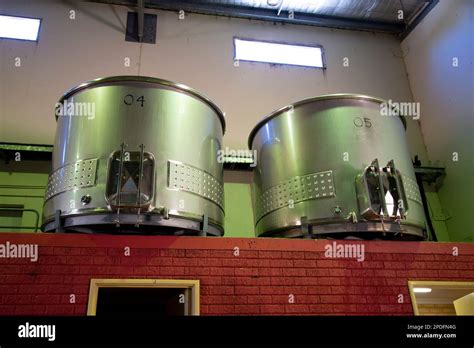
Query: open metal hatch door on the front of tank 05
380,192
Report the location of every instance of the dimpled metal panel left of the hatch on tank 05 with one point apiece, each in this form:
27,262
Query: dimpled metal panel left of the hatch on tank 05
297,189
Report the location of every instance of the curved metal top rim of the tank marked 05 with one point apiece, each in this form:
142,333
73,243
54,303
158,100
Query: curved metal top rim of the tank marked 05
314,99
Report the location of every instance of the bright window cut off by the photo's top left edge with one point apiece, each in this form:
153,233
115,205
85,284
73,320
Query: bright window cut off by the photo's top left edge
20,28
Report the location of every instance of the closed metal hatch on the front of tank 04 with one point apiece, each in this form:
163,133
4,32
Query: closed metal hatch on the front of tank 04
130,179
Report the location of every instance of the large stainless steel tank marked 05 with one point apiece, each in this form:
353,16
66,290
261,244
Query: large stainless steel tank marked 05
333,166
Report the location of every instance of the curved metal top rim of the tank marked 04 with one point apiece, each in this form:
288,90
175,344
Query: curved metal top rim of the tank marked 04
146,79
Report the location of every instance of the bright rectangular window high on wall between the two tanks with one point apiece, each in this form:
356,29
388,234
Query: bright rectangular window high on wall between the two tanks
278,53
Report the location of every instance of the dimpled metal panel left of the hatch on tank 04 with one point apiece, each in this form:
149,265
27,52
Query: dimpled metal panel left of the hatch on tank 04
72,176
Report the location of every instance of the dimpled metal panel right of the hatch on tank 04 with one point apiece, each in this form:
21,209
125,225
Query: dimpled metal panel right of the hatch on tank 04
187,178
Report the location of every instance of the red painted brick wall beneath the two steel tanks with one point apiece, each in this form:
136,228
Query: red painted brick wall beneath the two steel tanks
258,281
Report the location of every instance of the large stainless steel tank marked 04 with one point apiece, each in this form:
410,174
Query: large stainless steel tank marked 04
144,161
